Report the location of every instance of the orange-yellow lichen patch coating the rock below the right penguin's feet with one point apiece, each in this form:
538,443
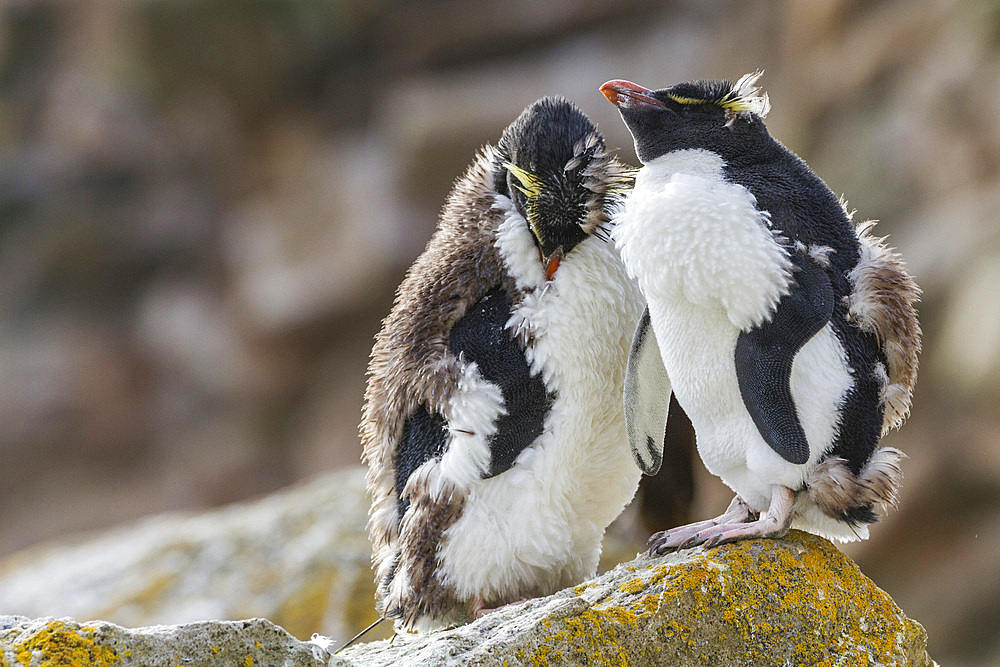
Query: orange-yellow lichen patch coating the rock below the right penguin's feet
743,597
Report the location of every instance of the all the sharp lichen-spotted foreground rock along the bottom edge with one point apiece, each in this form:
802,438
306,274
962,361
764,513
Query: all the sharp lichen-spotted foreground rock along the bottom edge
797,600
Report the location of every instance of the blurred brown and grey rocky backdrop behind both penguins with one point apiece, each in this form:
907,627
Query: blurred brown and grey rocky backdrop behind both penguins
205,208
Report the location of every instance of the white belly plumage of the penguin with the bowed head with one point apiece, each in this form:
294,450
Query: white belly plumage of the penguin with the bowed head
538,526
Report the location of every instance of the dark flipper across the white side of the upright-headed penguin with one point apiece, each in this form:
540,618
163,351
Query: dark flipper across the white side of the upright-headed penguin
764,356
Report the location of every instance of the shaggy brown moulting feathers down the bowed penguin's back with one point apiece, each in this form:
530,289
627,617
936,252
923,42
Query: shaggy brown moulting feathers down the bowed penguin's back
411,363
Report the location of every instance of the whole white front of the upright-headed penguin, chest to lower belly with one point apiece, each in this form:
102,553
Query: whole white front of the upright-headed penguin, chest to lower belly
710,266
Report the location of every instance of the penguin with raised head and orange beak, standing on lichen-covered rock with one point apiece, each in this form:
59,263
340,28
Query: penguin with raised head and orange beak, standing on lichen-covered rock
788,335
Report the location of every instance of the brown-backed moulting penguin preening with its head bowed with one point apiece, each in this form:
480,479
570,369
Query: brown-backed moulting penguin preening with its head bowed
492,423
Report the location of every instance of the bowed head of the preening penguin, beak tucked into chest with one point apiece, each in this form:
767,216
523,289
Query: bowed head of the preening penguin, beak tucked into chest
553,164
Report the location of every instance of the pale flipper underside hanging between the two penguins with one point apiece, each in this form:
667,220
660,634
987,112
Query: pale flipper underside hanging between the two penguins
646,398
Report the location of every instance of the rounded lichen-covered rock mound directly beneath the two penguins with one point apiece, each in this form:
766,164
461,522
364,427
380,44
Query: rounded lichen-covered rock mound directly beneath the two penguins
793,601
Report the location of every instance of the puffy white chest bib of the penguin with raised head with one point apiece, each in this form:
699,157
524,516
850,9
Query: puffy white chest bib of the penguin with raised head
687,233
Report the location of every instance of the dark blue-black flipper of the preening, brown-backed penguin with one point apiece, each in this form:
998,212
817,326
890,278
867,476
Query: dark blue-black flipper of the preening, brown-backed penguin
481,336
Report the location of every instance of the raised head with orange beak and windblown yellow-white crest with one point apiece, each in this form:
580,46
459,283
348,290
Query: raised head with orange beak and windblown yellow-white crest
719,116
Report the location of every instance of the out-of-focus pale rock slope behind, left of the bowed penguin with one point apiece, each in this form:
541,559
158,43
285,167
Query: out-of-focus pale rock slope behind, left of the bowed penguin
299,557
